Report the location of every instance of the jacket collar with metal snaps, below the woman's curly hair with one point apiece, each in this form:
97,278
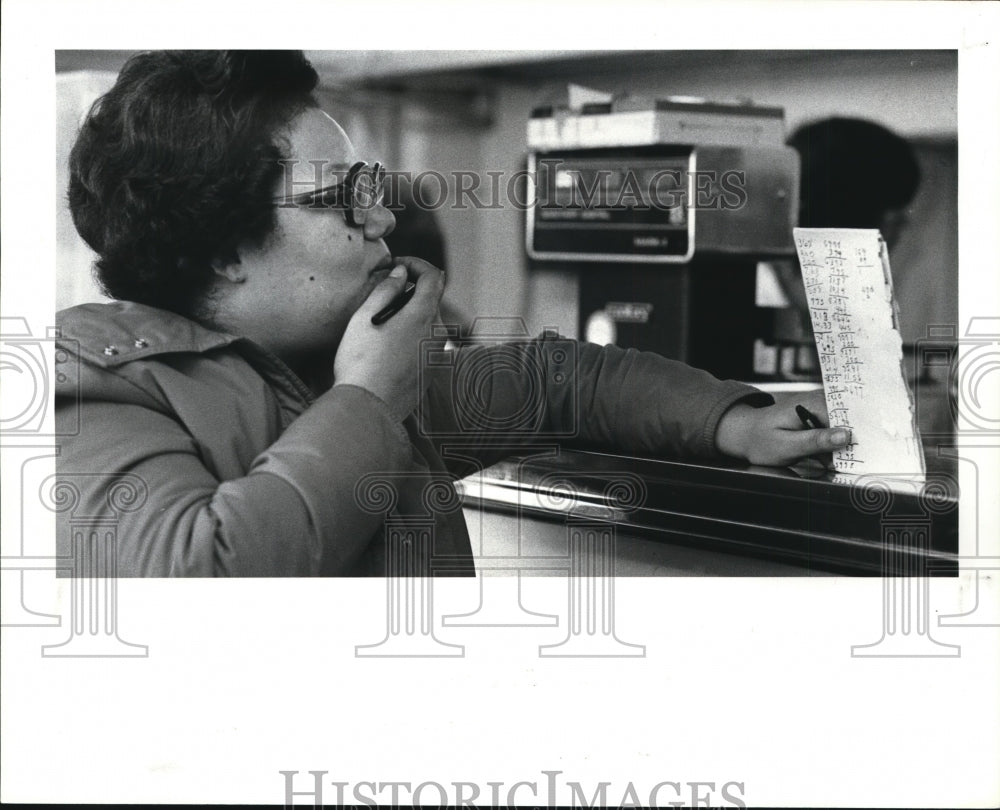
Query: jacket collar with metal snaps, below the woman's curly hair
109,335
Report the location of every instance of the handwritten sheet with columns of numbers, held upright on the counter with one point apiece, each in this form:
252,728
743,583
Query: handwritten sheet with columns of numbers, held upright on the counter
854,317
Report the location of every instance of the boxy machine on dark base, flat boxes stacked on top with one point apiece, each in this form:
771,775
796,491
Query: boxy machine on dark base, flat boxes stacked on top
664,214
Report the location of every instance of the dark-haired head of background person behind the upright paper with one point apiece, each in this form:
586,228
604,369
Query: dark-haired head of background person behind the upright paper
855,174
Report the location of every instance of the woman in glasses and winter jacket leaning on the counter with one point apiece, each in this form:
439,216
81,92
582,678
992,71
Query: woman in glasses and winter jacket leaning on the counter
240,380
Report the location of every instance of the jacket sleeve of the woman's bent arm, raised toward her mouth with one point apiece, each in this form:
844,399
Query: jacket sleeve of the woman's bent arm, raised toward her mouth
294,513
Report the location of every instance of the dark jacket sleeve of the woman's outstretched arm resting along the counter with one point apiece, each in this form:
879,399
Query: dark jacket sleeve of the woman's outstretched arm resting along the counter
558,390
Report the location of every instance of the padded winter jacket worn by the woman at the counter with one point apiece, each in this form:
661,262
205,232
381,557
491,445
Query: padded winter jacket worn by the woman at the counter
244,472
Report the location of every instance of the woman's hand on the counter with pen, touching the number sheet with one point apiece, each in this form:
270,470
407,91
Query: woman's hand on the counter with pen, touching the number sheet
774,435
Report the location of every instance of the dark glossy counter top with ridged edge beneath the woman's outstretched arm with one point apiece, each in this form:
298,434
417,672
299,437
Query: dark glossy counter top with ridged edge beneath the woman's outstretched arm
776,519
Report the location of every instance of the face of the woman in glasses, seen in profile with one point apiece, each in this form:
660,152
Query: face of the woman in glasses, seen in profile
297,292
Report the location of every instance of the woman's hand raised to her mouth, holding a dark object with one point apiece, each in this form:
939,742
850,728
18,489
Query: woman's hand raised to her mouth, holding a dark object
385,359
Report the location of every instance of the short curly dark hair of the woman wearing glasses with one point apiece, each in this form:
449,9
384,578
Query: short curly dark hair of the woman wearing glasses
176,165
